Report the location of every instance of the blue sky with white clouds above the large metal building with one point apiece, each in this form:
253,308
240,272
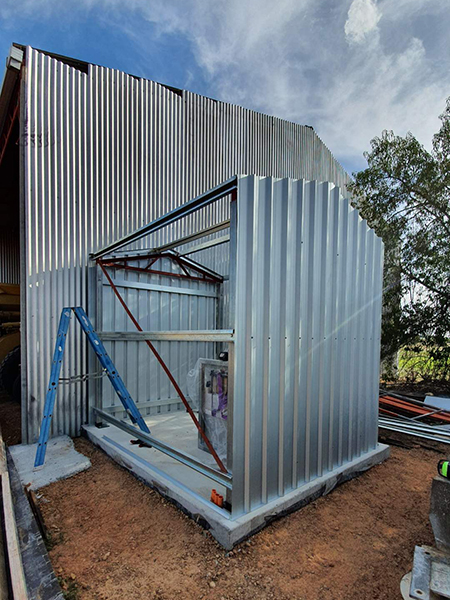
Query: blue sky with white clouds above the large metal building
349,68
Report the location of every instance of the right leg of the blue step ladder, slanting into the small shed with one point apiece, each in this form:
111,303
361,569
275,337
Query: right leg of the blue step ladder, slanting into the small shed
111,371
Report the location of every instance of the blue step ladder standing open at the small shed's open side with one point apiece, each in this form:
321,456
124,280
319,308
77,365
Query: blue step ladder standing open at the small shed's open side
107,364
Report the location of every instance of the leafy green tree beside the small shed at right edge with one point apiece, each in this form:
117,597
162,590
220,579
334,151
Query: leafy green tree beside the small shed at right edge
405,196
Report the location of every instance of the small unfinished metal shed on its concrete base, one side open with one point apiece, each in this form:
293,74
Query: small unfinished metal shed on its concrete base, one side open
293,304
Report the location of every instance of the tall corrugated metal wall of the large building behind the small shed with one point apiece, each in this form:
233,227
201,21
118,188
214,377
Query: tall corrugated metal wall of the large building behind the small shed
104,153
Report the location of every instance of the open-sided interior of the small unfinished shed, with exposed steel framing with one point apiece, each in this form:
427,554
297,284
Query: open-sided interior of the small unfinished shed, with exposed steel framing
175,361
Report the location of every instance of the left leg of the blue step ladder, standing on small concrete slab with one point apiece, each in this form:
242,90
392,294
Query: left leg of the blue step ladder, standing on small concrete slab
52,386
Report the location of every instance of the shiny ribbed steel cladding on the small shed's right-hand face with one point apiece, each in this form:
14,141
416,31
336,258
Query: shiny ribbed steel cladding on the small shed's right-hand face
307,342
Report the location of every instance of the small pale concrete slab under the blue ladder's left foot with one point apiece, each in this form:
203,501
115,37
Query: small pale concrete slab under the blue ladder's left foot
61,461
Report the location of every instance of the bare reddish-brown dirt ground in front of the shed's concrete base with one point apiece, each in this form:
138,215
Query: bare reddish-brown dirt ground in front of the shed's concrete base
113,538
